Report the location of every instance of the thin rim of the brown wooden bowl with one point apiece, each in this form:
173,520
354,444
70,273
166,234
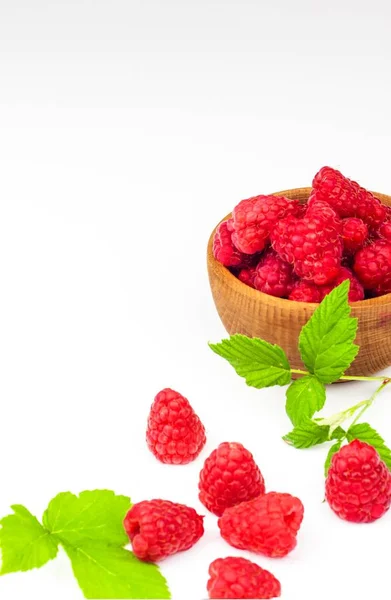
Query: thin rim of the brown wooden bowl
293,305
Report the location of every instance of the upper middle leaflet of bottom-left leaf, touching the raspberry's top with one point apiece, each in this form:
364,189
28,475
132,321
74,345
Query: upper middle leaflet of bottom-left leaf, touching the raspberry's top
93,515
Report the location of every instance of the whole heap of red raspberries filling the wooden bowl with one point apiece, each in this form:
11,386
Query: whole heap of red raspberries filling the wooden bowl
302,252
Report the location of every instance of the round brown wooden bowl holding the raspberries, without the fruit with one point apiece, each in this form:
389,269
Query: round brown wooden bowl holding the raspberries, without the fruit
278,321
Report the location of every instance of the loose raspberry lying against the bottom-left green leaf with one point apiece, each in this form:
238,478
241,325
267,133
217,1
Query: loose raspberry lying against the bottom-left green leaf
159,528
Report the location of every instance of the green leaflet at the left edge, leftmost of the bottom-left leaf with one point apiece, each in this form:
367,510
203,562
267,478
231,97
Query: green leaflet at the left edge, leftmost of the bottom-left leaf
24,543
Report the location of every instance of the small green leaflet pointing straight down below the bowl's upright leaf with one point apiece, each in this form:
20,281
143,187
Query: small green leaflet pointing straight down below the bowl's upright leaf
304,397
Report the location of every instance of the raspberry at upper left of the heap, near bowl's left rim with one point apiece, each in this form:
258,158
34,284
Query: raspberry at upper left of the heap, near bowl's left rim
254,218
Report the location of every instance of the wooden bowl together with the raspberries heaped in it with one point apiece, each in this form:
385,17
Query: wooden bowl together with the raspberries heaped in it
275,257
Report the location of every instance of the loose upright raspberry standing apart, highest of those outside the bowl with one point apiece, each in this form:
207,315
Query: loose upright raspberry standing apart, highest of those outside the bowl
175,434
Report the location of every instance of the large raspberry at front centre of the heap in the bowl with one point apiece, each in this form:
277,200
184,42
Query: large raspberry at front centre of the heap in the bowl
311,244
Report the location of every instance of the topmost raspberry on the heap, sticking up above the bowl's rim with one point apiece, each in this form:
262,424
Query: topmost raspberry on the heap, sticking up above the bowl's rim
347,198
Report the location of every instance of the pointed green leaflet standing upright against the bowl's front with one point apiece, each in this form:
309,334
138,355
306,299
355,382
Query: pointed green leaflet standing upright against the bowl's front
326,340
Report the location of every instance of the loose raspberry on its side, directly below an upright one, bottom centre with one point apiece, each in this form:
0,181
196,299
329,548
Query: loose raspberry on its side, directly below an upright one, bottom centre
268,524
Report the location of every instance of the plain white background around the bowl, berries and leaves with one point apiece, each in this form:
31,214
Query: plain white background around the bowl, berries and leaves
128,129
